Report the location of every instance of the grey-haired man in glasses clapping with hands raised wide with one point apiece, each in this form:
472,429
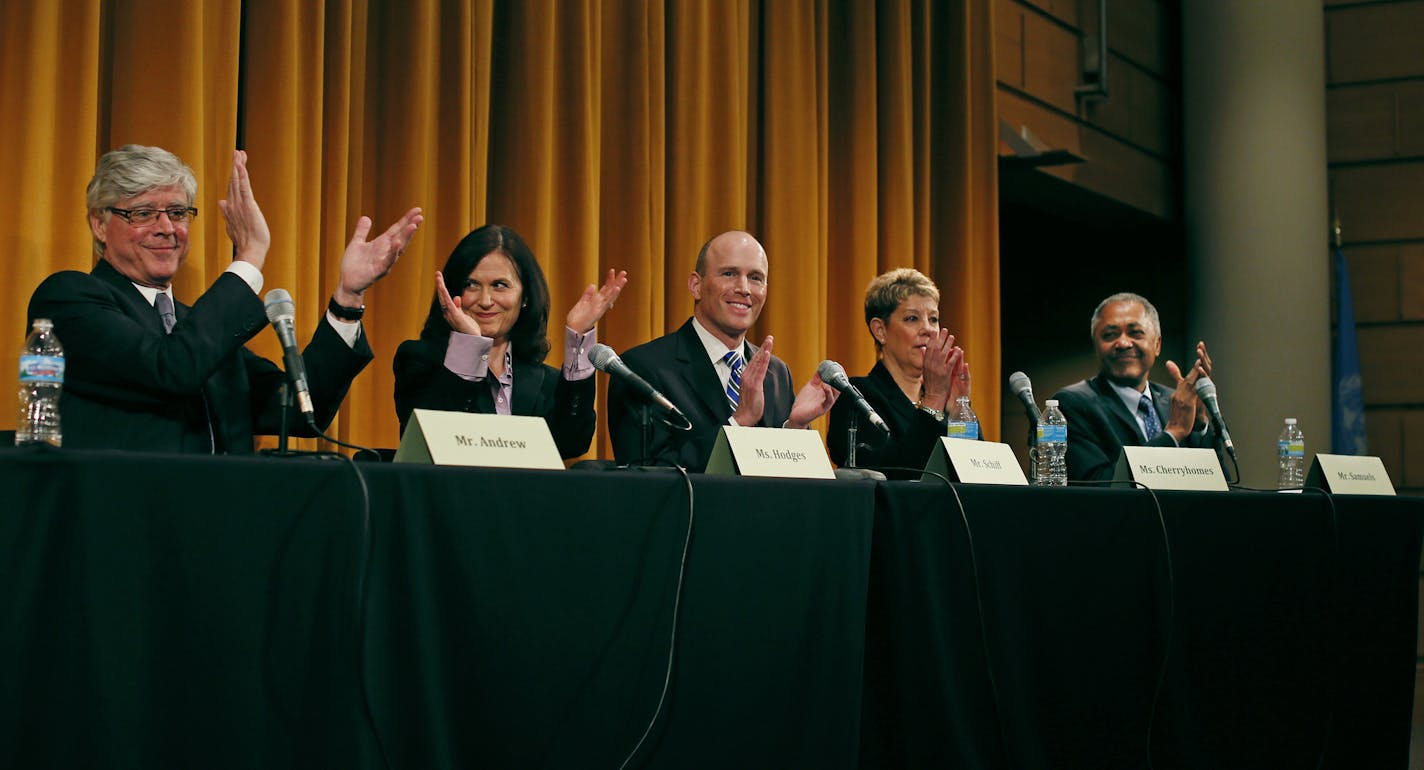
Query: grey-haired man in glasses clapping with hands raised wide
147,374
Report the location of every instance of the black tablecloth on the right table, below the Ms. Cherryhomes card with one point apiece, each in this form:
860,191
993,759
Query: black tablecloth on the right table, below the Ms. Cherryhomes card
1288,628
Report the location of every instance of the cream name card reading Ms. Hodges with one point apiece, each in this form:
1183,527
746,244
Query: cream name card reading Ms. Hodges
770,453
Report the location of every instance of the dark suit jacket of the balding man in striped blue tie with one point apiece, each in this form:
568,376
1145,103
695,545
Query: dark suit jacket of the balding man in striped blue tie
679,366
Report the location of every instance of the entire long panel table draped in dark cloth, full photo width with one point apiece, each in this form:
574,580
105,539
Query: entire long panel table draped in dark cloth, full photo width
164,611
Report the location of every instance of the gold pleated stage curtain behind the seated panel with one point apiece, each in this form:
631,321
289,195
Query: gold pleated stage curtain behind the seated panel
849,137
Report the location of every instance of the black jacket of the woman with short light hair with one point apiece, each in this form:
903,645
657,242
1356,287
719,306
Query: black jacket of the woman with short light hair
913,433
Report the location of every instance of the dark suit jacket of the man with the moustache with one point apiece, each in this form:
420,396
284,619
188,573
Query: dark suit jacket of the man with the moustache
1100,426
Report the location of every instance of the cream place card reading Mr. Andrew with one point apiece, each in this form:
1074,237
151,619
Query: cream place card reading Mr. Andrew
489,441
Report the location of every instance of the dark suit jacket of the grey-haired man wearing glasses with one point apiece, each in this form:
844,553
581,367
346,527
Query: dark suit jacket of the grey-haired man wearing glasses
129,386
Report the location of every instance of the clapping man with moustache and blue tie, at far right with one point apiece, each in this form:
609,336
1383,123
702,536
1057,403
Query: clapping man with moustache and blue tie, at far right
1121,408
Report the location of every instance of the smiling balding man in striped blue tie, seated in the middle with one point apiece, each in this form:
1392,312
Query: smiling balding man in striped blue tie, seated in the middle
707,365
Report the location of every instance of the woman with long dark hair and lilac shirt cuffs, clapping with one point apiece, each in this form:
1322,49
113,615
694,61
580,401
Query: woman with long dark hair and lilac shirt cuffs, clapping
485,342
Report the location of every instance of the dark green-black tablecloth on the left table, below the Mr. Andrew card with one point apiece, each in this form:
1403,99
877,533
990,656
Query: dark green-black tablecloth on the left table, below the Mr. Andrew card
200,613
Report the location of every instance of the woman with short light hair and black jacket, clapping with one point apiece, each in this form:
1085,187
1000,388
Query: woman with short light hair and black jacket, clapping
919,378
